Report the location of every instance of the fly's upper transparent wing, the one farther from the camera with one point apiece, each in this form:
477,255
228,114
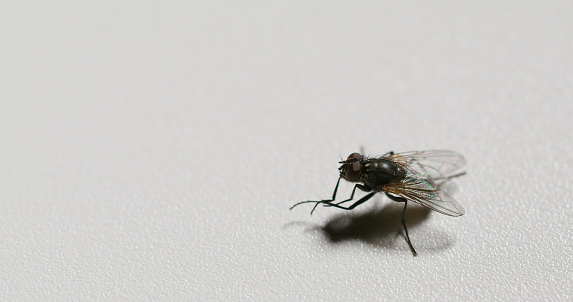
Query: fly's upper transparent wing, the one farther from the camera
434,164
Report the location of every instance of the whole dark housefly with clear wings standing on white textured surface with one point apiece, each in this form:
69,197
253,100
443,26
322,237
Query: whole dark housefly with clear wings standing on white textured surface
414,176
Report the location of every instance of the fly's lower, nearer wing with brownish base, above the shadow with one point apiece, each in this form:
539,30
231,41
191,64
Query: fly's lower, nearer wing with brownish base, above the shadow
425,192
